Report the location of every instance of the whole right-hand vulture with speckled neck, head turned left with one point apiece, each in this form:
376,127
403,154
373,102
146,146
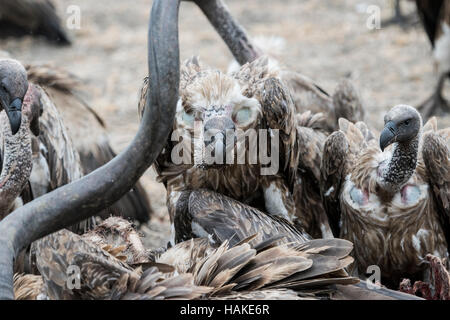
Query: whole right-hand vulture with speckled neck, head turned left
390,199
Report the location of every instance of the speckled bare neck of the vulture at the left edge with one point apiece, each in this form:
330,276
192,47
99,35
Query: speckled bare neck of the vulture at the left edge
17,162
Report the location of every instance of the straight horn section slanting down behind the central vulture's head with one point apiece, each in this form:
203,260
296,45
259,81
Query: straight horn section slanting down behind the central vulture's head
231,32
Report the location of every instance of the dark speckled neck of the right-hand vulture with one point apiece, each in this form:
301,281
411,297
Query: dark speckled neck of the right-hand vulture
401,165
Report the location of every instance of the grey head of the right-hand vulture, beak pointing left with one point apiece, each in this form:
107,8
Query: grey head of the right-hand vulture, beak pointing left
402,124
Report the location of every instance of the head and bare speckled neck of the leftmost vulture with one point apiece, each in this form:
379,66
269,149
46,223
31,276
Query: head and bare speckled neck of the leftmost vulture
16,122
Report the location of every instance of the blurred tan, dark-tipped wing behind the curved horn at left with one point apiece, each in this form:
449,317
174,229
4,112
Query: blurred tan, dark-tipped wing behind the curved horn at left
88,134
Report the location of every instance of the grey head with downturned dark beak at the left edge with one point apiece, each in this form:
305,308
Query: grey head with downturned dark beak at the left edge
13,87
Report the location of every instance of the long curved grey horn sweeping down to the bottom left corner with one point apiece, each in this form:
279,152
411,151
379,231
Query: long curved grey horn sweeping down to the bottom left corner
83,198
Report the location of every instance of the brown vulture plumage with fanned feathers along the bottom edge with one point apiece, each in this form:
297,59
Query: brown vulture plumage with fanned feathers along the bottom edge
113,264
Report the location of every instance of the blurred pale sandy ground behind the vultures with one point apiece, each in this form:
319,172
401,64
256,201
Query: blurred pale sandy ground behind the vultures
325,40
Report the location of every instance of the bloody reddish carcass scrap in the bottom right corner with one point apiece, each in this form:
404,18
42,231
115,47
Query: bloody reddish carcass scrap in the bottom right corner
438,287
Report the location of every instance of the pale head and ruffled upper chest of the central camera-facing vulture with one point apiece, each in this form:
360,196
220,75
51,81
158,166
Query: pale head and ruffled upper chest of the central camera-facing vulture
214,112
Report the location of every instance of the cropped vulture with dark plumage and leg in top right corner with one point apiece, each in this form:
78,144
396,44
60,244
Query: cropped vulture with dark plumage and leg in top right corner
435,17
